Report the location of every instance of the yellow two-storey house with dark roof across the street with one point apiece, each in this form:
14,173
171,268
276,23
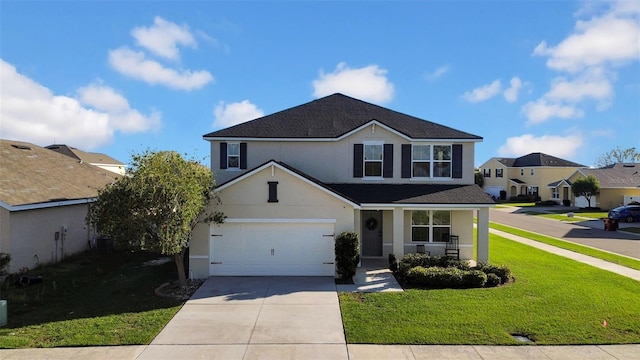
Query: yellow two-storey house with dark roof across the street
535,174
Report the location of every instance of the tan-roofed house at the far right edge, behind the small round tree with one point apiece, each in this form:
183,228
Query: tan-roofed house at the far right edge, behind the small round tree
619,185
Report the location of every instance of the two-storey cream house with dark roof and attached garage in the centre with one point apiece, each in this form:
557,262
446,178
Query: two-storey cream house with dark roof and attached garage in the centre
290,182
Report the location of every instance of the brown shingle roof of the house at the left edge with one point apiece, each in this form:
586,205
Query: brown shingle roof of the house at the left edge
30,174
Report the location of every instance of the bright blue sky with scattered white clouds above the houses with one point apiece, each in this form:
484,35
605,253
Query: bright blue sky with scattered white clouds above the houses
118,77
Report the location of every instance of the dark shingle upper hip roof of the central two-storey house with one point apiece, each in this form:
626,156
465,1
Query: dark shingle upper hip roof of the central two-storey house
334,116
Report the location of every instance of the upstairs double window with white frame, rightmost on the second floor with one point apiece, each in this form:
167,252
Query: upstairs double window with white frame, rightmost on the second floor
431,161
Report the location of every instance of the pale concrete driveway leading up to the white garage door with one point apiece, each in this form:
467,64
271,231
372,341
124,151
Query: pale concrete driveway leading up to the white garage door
253,318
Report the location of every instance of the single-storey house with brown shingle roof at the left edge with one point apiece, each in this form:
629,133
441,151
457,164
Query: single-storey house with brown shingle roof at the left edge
44,197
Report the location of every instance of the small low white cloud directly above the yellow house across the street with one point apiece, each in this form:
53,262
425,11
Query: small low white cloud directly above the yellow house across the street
560,146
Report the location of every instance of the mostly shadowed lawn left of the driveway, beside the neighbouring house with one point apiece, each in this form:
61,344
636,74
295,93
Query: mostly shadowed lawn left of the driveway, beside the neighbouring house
90,300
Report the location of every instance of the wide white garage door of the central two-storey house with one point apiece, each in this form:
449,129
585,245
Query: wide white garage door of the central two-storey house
266,248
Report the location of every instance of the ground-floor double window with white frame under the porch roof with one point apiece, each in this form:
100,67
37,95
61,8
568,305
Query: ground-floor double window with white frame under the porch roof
430,225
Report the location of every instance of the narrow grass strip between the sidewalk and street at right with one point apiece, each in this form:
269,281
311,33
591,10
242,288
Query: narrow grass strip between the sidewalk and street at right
607,256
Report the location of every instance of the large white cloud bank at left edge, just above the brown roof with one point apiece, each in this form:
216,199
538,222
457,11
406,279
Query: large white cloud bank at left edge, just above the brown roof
31,112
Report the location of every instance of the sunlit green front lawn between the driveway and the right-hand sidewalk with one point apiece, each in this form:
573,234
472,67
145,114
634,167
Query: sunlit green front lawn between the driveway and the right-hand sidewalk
553,300
